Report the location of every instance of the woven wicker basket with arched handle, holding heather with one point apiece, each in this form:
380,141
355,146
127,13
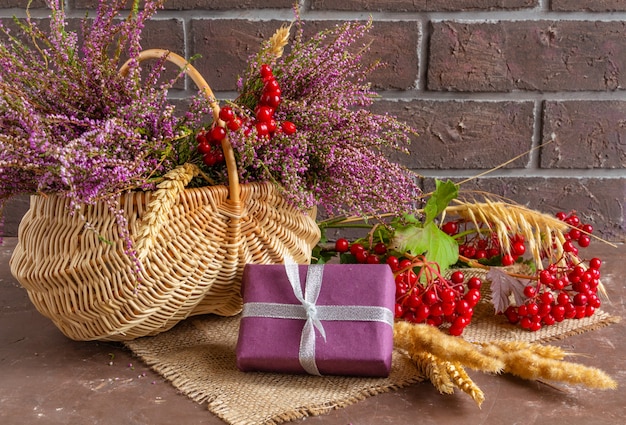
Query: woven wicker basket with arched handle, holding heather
192,245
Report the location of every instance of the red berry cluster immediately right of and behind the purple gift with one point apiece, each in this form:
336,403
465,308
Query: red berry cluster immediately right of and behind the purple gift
423,295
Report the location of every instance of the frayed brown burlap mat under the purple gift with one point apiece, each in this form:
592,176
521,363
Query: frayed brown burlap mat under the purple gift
198,357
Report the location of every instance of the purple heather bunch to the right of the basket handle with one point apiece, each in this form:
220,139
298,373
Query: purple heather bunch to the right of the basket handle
336,159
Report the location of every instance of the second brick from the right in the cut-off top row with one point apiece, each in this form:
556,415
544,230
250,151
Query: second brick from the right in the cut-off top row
421,6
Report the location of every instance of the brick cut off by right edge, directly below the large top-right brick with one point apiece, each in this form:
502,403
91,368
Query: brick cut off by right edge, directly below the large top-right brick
585,134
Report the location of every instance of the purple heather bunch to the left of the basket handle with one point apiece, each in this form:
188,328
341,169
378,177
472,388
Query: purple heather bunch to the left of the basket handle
71,123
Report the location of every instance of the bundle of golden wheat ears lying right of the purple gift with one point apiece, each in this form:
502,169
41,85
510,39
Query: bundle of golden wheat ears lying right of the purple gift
442,359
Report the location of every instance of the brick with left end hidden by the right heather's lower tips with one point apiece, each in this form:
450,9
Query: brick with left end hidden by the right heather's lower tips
464,135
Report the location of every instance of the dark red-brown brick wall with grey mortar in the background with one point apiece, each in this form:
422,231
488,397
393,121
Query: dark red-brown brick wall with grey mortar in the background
483,80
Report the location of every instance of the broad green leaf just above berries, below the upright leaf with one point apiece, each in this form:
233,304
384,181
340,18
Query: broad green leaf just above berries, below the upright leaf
429,240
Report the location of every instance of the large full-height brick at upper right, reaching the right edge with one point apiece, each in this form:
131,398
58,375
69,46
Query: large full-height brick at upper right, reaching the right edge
527,55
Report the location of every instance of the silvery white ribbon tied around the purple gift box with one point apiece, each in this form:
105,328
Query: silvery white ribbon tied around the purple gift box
312,313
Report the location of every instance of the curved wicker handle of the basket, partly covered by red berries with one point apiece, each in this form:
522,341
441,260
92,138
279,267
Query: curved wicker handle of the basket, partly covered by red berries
229,155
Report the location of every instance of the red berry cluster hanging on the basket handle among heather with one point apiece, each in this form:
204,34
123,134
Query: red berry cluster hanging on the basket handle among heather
209,141
